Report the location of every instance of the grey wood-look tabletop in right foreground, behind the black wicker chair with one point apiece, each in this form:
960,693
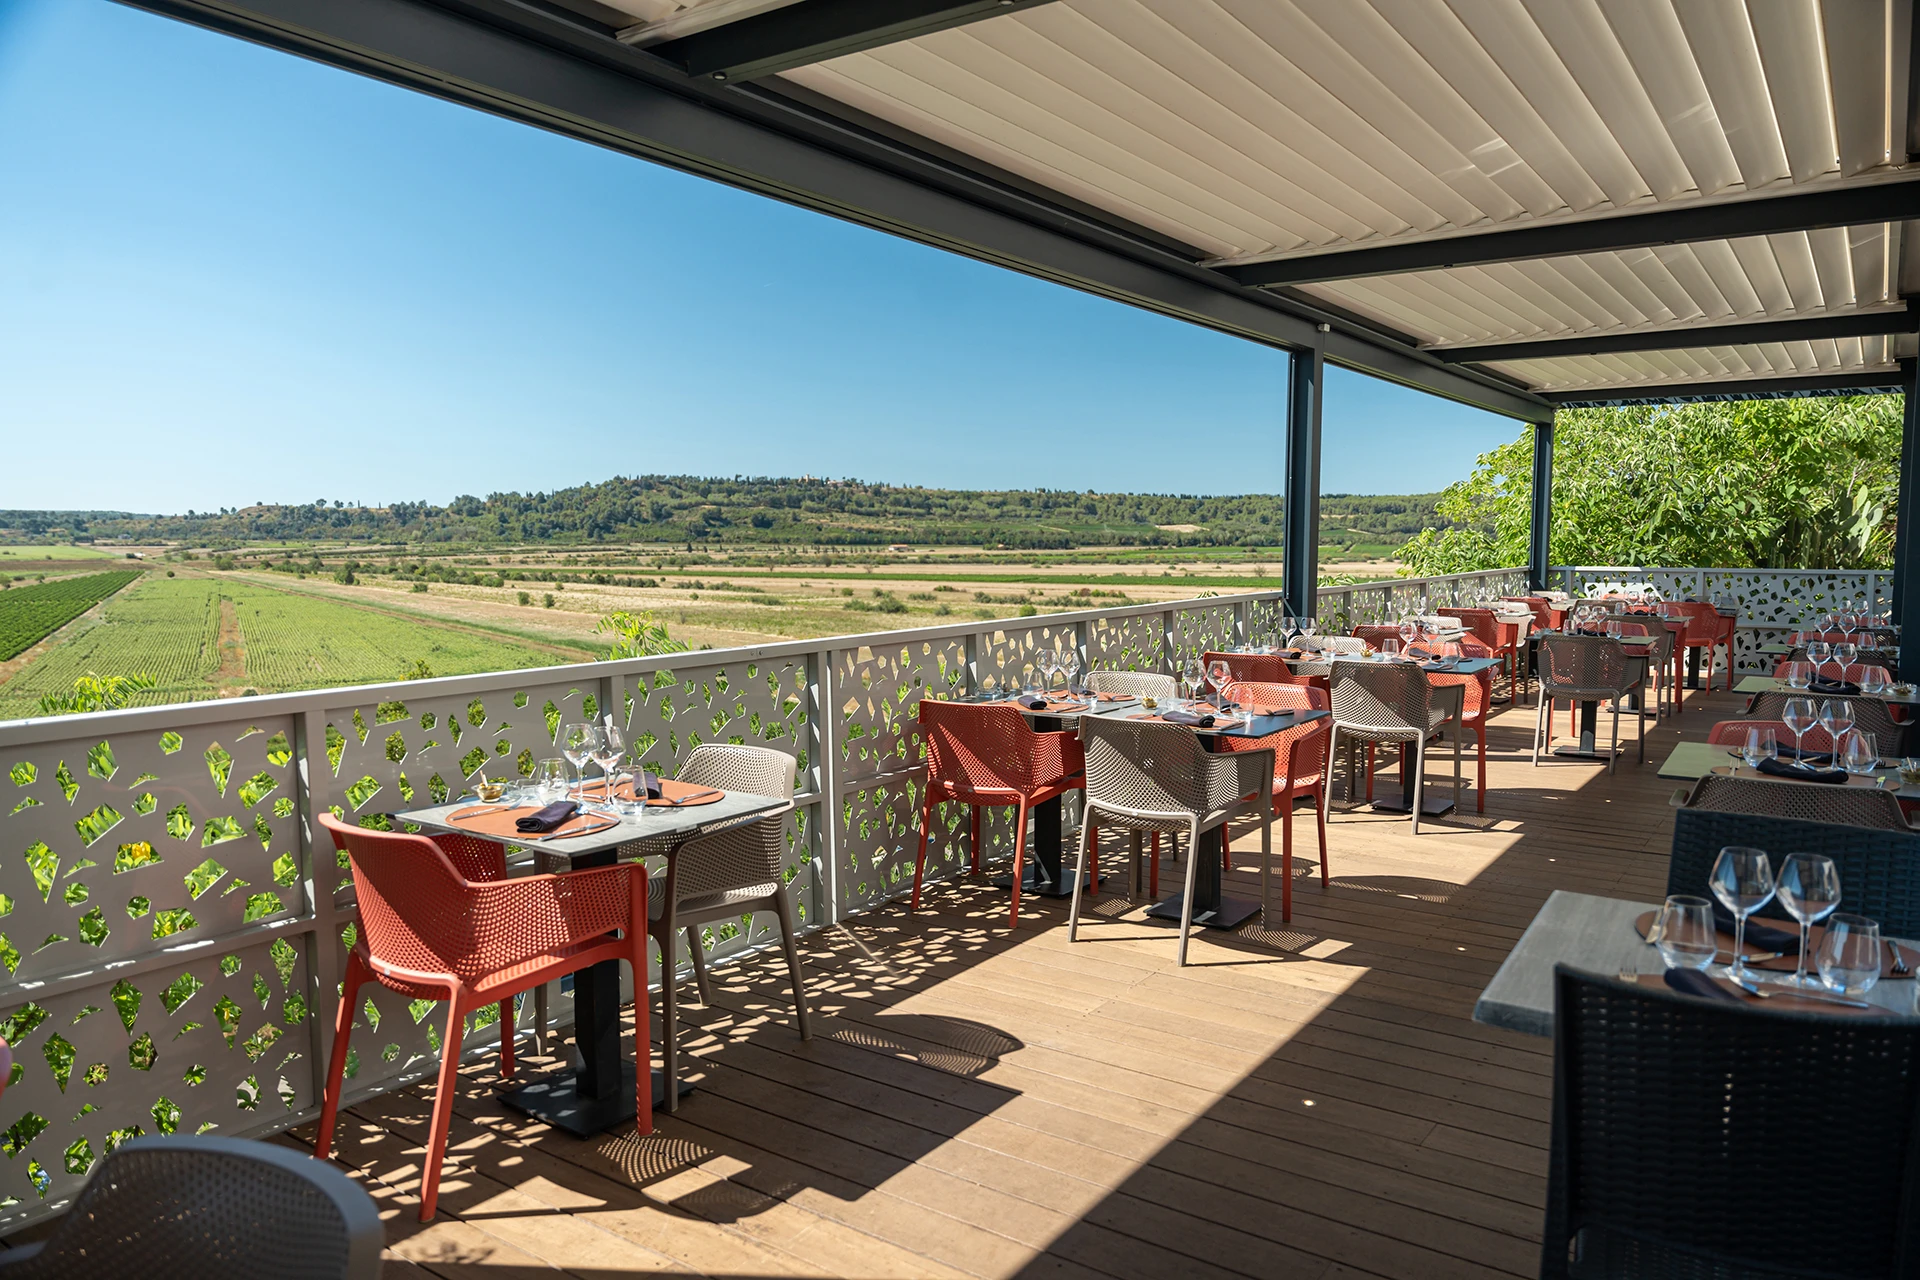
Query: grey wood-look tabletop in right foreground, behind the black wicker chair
1596,936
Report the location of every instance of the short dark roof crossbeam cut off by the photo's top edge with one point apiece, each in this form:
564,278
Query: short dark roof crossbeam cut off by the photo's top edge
819,30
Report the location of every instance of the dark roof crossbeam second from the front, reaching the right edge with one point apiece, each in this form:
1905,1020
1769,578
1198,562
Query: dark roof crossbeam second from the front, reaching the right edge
1756,216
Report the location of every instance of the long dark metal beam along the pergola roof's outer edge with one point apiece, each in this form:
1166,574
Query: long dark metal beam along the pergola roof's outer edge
523,62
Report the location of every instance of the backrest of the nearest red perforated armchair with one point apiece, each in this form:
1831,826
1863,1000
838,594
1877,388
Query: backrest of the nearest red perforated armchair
412,901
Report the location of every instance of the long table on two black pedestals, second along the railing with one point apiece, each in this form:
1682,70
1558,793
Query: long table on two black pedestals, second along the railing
1212,907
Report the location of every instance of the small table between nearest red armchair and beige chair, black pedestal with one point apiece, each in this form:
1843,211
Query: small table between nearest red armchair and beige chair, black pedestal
598,1095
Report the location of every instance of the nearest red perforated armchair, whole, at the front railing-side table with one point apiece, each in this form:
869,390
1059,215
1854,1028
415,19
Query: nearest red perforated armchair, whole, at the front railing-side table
431,934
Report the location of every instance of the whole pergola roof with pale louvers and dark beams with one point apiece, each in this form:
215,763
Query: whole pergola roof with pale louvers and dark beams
1512,202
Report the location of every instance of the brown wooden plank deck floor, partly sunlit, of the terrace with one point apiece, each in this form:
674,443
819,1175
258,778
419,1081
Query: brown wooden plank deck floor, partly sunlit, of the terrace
1303,1102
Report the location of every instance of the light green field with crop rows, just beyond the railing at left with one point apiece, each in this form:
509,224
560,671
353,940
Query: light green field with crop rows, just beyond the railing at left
201,638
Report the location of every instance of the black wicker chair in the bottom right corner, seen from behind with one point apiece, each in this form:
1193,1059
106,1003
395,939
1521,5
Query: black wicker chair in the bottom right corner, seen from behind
1669,1112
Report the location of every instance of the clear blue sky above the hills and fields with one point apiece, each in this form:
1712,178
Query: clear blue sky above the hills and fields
237,277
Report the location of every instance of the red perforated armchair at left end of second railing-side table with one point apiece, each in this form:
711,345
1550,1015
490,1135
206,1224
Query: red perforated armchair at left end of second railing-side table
990,755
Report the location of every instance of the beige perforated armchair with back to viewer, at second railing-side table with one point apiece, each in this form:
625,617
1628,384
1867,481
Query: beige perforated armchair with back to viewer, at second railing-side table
1145,776
